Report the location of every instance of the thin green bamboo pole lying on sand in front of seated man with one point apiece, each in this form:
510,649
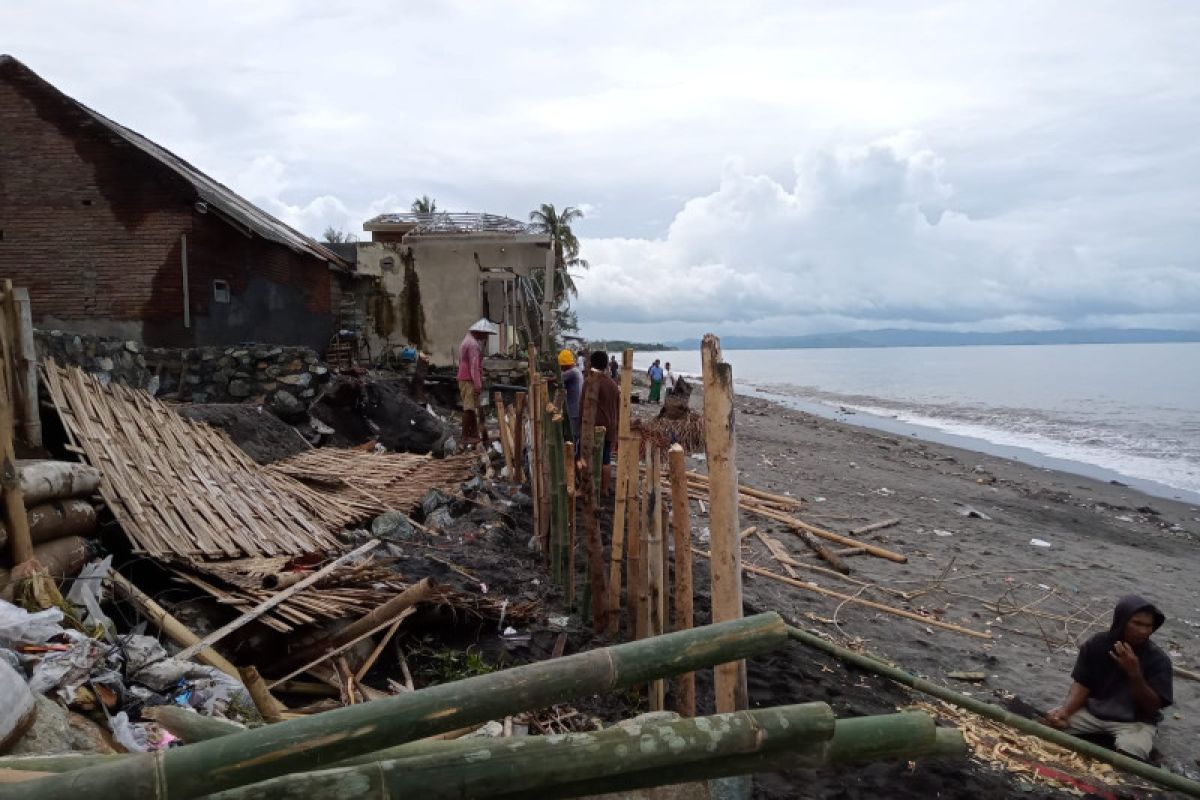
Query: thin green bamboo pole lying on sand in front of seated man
1154,774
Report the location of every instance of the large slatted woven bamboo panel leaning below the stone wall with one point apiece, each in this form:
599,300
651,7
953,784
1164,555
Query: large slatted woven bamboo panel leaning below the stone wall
179,488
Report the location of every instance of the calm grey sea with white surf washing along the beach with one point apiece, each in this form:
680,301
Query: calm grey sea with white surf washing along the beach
1118,412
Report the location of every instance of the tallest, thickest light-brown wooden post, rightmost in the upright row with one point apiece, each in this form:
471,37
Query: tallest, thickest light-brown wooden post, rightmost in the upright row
721,447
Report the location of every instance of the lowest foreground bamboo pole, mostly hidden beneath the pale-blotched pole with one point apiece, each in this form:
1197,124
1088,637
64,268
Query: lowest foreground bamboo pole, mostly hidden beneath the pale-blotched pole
909,739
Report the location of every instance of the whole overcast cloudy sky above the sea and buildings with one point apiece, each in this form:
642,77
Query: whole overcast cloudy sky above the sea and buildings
747,169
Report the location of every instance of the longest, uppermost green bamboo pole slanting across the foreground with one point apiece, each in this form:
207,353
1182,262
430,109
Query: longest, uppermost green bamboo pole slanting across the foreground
325,739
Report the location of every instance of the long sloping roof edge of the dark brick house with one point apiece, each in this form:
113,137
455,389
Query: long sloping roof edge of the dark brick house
220,199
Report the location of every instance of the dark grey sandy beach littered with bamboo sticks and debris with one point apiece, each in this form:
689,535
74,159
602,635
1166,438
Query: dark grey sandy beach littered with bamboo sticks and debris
968,522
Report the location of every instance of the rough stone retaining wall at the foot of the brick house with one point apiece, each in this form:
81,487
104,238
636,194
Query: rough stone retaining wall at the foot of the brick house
208,375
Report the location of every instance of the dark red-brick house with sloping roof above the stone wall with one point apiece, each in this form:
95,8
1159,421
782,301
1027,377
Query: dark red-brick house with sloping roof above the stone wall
116,236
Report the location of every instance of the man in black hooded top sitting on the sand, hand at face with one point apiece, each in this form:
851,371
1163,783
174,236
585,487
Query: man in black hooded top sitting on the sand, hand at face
1121,682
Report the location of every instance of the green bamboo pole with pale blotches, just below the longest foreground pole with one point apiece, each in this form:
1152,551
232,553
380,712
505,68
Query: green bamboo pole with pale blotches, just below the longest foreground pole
530,765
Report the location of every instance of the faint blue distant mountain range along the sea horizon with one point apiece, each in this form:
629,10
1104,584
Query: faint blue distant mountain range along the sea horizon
897,338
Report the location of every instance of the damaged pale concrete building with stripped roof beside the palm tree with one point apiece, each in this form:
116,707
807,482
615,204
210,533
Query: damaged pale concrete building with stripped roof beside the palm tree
440,273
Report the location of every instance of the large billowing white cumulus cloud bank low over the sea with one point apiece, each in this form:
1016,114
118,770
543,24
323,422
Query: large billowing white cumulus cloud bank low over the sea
869,236
